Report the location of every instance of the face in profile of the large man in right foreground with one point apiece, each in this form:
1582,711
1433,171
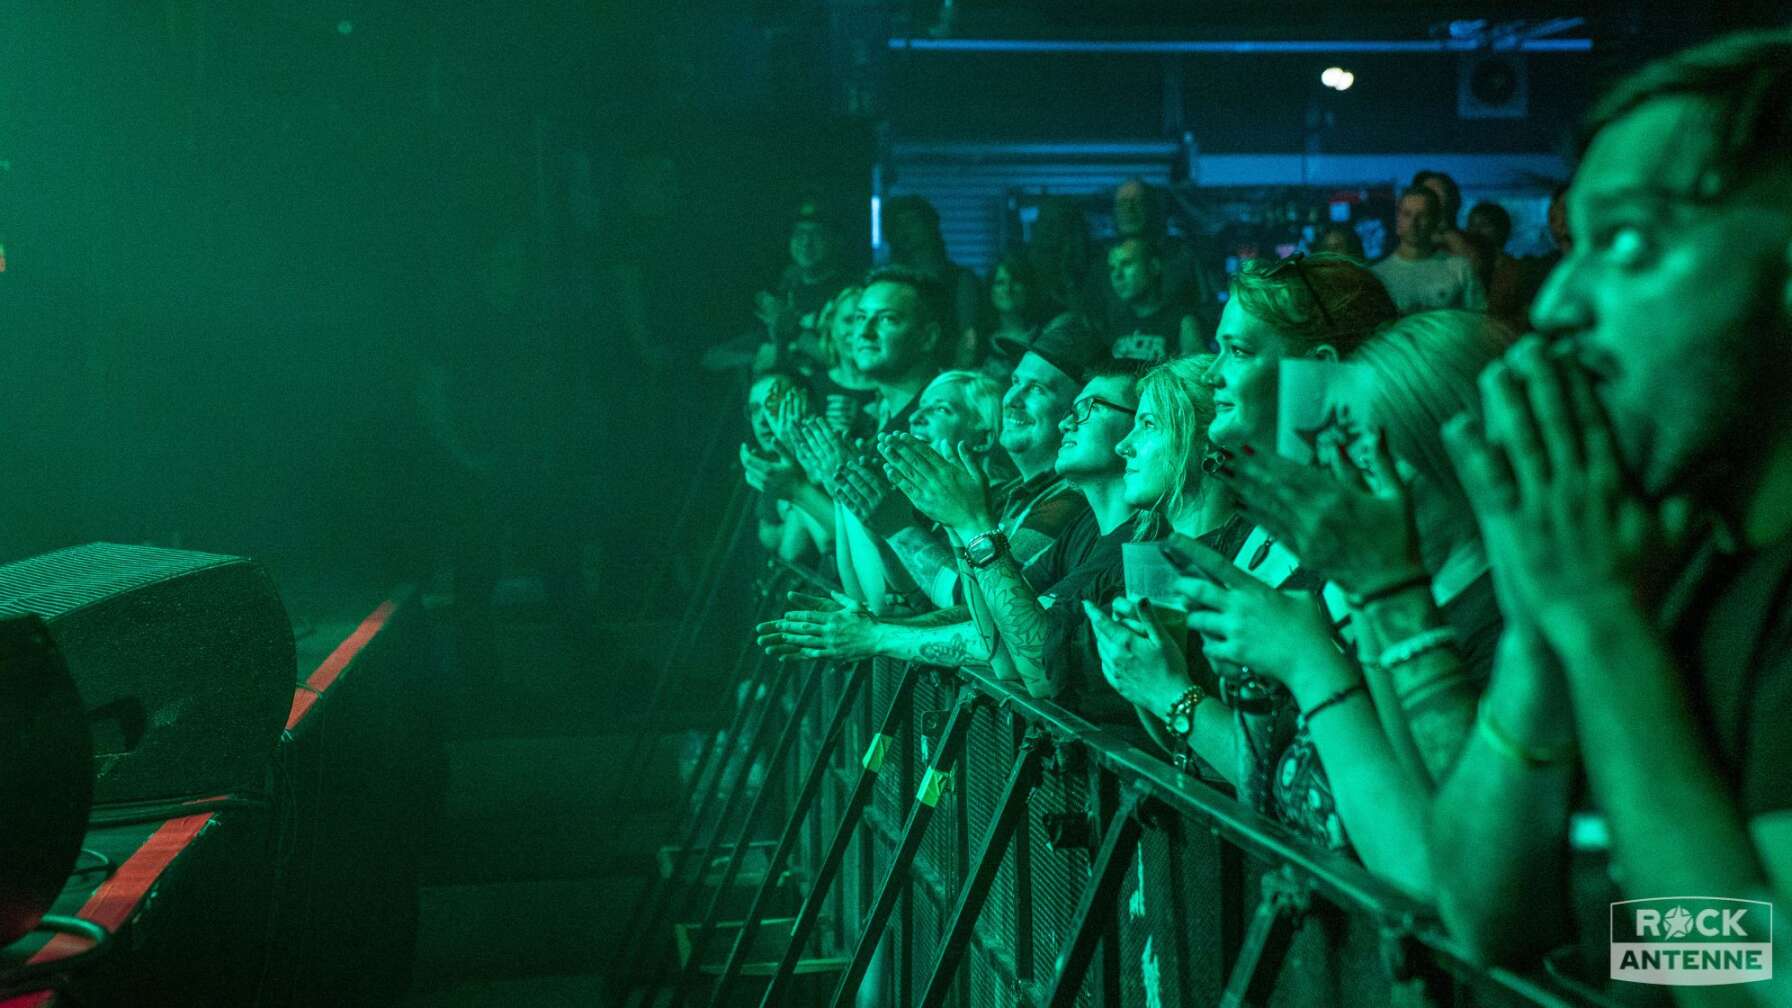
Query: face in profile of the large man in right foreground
1675,302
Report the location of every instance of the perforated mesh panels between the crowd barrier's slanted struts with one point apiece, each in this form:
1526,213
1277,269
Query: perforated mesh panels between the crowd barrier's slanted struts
1167,908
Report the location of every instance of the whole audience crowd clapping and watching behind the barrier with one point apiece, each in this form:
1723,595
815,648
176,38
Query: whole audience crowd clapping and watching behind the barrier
1524,648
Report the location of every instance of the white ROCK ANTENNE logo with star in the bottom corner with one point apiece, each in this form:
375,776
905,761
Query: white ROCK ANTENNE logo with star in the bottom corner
1693,941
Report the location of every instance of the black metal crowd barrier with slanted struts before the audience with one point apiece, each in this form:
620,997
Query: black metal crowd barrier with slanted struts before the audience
956,842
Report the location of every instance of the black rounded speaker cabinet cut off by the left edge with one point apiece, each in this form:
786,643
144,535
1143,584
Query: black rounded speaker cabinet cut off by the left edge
46,776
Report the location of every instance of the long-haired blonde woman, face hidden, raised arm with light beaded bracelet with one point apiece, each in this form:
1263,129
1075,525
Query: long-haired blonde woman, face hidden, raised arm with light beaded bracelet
1402,544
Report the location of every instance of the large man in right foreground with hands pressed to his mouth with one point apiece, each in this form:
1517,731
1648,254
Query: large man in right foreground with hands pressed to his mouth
1635,491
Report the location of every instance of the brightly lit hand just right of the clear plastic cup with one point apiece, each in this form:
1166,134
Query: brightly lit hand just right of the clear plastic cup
1245,623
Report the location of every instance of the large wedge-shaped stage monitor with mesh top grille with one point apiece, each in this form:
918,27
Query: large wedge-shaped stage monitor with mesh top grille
184,661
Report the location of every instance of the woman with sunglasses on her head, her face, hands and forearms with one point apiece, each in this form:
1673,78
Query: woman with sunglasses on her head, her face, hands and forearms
1284,679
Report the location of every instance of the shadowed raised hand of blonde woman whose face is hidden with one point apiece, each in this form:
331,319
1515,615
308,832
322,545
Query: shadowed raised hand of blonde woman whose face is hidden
1350,530
